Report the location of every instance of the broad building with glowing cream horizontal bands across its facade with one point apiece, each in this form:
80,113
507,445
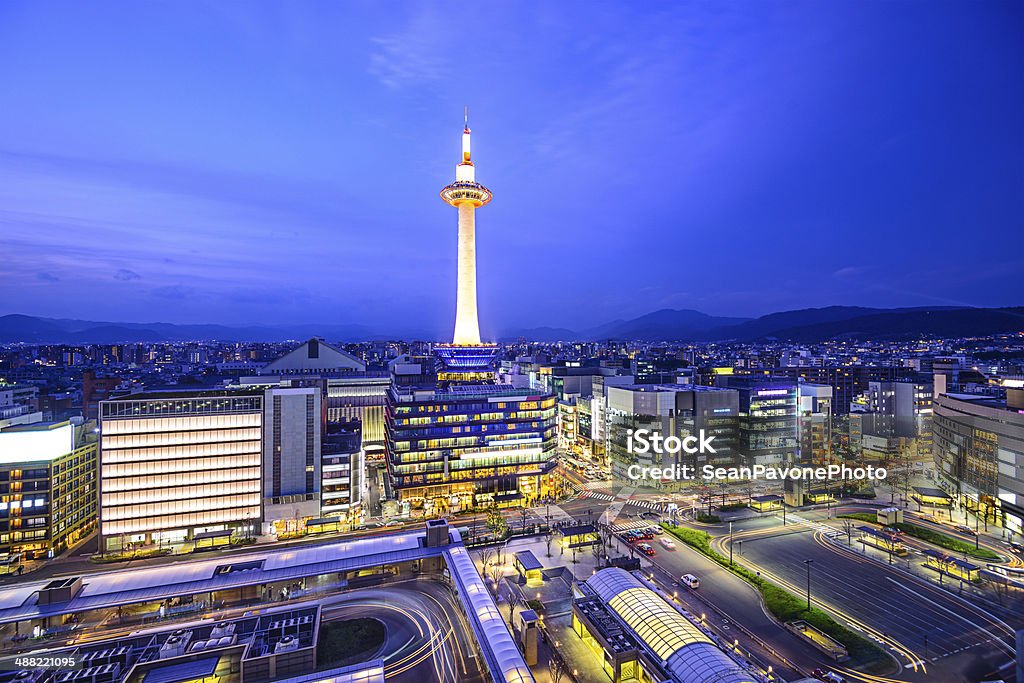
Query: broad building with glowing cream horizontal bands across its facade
174,464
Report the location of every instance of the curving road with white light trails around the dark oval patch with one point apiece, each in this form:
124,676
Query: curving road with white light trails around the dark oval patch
428,638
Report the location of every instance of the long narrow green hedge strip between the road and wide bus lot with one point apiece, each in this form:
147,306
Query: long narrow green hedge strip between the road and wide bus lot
784,606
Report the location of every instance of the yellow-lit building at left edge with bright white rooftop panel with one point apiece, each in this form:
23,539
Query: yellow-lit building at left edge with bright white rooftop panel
48,487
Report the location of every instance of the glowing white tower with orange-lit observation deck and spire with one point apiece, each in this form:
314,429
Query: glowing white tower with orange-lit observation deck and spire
467,196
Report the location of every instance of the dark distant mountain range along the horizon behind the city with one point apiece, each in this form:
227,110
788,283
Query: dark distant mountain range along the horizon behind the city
807,325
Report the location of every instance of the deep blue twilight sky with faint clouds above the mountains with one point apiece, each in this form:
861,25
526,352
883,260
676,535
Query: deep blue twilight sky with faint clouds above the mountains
260,162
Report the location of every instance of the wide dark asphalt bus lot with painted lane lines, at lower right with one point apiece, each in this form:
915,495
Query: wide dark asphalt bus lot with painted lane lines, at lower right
935,634
